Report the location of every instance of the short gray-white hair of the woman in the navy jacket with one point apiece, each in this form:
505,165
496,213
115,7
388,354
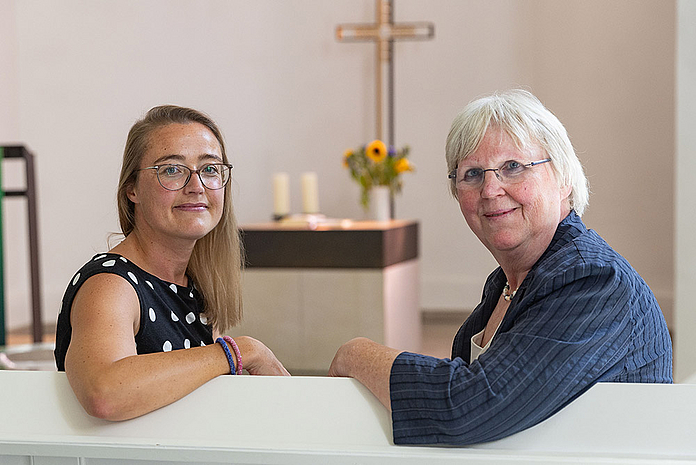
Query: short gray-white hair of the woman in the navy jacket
525,119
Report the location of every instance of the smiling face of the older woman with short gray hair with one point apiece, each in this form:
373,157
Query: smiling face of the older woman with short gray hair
512,218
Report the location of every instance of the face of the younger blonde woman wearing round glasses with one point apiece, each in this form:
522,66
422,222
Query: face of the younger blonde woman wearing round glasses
189,213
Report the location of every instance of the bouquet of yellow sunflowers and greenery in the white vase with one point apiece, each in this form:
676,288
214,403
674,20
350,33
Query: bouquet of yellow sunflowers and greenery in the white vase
376,165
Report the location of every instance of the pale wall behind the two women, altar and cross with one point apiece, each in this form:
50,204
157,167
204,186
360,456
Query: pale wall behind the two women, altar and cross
289,97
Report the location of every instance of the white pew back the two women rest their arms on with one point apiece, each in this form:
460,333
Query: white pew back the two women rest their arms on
245,419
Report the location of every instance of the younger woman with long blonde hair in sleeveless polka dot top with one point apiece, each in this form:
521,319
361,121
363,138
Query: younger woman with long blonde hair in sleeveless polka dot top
172,283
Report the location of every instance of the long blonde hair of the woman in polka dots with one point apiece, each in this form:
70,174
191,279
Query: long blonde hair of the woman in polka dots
216,262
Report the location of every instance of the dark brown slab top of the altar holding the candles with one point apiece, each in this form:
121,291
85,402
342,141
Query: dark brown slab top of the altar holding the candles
335,244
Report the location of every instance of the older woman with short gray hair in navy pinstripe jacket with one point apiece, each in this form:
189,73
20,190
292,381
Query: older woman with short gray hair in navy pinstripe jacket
562,312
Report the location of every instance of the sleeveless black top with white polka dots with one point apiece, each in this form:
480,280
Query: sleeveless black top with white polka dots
170,315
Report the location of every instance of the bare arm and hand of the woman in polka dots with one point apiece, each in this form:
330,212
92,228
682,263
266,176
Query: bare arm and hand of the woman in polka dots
112,381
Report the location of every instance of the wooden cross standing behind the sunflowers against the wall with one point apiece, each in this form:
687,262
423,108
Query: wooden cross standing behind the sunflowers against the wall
384,32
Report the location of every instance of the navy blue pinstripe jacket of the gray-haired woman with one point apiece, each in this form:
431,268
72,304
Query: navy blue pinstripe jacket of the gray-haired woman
582,315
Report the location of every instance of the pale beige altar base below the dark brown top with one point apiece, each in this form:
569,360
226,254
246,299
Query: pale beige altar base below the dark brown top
304,315
